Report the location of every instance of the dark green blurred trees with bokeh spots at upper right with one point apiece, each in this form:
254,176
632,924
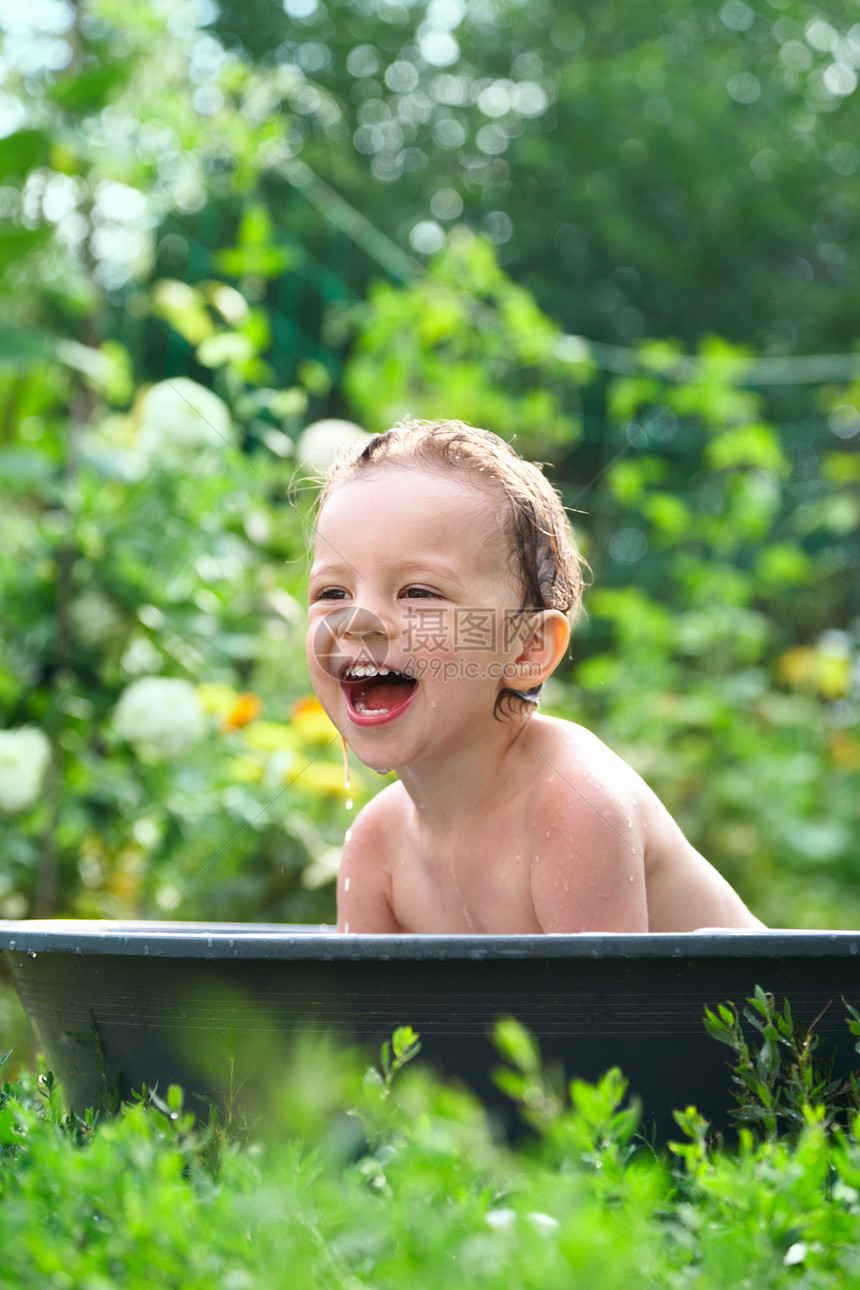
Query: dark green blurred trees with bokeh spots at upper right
672,174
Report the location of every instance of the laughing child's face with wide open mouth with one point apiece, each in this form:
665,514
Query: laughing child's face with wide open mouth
412,575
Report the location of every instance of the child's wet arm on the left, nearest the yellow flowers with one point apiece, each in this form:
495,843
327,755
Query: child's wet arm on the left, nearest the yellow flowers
364,878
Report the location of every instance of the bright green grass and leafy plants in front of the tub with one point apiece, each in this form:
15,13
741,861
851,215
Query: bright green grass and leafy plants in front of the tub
387,1177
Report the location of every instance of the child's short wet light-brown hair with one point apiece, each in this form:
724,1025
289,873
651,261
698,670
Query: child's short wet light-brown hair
542,541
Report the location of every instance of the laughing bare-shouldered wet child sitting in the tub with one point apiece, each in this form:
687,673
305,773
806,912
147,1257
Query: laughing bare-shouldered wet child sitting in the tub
444,581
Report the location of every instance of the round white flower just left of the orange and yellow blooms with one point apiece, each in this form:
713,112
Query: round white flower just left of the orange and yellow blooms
161,717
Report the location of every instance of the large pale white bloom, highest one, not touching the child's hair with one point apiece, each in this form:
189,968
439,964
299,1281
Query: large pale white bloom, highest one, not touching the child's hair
180,419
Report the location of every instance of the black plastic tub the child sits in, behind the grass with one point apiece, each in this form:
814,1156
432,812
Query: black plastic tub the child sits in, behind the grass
121,1006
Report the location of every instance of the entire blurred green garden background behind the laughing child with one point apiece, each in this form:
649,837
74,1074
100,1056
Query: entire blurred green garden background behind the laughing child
171,212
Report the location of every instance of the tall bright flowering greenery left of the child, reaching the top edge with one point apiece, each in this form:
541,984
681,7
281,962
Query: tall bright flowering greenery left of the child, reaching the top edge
158,749
